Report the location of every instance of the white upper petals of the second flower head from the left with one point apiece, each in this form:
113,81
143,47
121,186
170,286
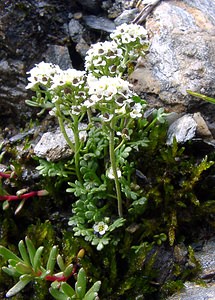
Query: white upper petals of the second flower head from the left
71,76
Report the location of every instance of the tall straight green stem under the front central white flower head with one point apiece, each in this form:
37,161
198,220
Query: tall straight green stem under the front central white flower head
114,168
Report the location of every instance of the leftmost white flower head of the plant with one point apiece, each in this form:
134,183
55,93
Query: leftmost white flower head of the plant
42,73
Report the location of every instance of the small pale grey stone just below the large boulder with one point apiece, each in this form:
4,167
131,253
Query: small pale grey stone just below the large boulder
183,129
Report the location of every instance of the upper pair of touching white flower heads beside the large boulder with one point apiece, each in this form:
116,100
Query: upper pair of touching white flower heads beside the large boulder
110,58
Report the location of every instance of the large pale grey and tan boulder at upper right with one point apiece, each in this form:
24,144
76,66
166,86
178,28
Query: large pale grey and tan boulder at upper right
182,53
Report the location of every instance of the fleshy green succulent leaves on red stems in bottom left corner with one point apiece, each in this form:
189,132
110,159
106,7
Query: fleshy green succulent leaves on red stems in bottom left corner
31,267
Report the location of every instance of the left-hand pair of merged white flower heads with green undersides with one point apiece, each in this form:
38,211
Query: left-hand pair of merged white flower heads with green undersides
67,87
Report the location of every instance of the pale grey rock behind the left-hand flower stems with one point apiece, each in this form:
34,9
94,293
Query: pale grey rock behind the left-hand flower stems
52,145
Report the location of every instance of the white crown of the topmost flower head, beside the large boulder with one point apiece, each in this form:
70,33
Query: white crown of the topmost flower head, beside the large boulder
129,33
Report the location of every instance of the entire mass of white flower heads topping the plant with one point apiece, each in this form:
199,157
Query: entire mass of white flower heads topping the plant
101,86
